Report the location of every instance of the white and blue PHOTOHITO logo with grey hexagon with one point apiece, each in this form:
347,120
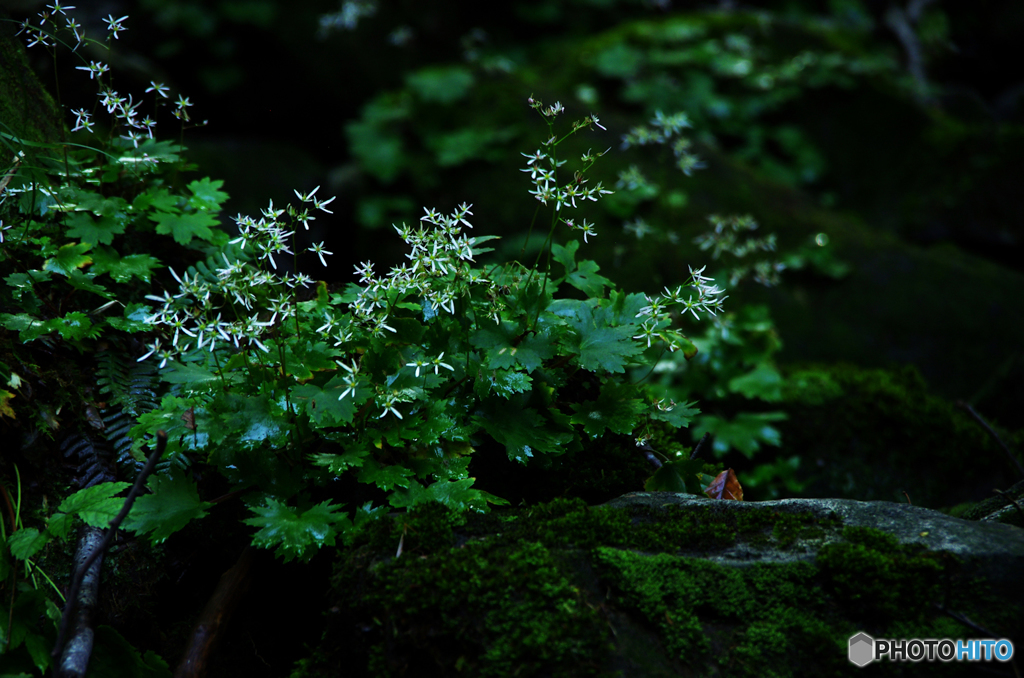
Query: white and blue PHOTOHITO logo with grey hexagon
865,650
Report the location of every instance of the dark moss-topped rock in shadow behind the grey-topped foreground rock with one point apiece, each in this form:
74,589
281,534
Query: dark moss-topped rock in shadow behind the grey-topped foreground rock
876,435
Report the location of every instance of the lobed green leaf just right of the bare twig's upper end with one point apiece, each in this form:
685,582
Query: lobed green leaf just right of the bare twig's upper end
173,505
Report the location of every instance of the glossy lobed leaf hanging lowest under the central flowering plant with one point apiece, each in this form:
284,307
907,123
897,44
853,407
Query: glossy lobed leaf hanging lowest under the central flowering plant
296,535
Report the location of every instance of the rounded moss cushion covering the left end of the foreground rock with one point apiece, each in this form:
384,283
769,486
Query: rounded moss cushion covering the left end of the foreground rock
490,611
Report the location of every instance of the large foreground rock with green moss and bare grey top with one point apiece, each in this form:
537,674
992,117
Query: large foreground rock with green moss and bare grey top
663,585
